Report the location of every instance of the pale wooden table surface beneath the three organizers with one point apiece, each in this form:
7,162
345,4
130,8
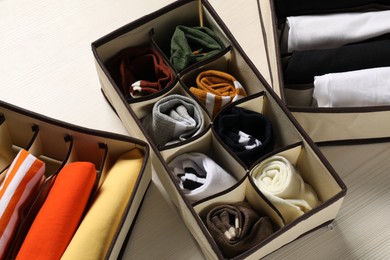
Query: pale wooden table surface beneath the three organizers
46,66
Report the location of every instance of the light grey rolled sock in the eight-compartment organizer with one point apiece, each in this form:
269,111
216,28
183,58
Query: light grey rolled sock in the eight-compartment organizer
174,118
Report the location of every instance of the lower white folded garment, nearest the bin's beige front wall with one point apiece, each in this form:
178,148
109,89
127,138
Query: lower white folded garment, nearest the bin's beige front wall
369,87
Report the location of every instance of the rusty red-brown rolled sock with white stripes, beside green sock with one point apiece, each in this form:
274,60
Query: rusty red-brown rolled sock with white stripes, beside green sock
139,71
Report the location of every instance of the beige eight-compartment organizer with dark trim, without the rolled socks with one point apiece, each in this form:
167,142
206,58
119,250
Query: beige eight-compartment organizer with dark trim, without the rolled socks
291,141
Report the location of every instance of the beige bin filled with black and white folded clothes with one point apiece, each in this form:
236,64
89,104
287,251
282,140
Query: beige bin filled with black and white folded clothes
292,54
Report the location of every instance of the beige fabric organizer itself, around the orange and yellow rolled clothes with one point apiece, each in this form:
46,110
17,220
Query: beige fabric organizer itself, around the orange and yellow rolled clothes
58,143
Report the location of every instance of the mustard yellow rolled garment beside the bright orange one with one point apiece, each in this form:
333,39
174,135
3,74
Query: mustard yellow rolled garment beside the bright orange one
96,231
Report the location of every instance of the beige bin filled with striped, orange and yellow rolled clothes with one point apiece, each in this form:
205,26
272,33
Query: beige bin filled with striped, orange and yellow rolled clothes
80,168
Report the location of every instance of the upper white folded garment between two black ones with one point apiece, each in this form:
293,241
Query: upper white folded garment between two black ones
315,32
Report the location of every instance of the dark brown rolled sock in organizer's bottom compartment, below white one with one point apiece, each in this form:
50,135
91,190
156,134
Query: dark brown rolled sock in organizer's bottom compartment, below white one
237,227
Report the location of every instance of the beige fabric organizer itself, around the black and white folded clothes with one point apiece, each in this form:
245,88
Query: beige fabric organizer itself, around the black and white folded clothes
322,124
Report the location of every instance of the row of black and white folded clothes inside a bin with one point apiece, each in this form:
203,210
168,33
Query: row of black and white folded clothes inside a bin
338,44
